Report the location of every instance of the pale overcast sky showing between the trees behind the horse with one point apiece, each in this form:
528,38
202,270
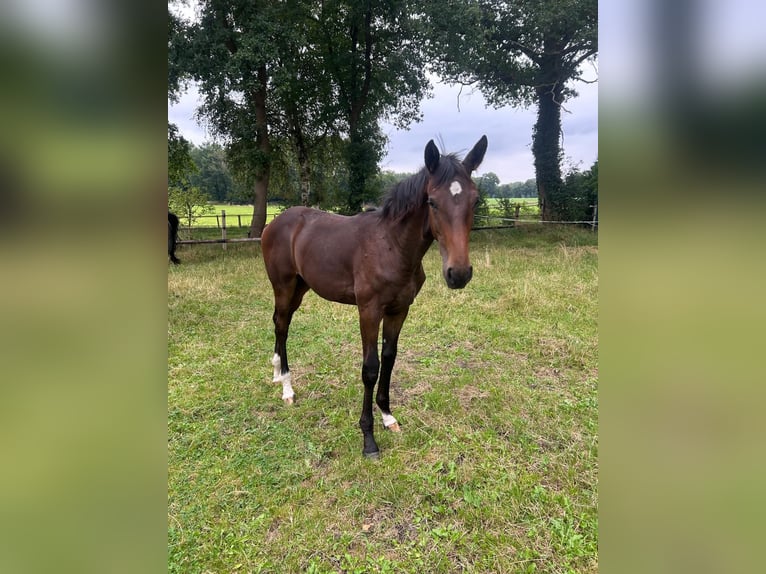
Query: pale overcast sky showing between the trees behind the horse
509,131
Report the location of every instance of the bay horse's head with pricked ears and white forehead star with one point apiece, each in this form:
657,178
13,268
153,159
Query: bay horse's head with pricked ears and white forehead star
452,198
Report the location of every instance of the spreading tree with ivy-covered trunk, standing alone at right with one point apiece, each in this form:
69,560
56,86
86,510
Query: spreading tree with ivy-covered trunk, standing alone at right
519,53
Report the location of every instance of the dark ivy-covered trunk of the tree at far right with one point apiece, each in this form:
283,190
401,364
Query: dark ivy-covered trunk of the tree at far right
546,142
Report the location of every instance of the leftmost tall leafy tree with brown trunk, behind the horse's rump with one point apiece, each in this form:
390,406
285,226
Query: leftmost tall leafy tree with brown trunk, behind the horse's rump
231,51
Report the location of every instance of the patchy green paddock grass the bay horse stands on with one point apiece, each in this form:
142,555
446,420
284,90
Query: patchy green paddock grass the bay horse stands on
495,387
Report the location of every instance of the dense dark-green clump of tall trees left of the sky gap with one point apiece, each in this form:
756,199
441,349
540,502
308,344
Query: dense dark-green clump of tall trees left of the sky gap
282,81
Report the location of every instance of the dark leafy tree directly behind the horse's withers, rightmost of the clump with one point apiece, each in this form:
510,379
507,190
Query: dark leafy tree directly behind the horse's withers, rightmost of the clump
374,54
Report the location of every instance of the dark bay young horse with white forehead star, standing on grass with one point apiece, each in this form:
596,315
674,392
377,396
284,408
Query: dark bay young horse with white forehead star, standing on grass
373,260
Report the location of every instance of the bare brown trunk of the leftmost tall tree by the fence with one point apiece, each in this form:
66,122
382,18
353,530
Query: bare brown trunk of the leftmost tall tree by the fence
263,168
